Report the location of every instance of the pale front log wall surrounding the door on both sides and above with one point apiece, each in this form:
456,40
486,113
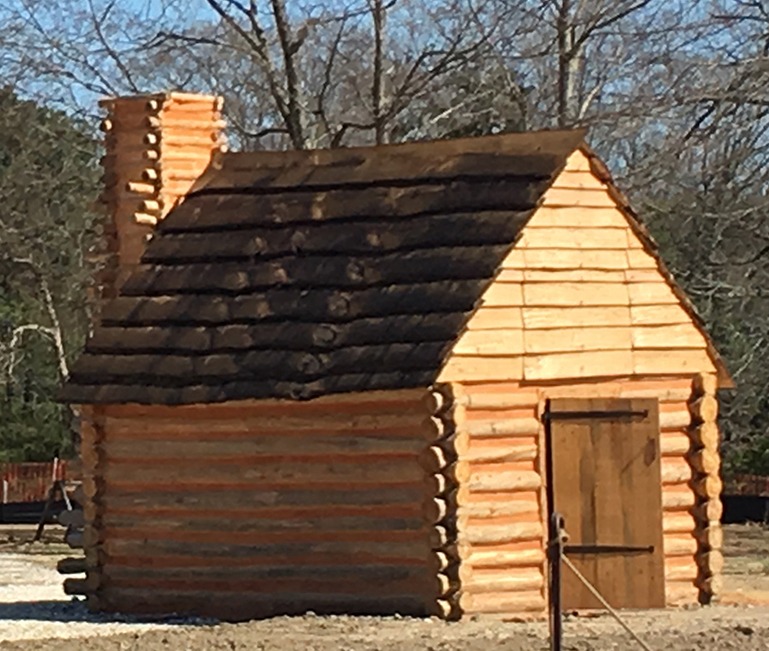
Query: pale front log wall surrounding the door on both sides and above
502,510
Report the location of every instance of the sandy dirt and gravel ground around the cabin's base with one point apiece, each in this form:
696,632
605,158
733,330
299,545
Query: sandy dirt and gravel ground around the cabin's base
35,615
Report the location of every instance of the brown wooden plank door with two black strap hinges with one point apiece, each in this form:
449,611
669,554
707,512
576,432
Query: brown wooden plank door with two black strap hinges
605,474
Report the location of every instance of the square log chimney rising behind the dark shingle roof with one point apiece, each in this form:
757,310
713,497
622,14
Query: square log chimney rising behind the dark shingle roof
157,146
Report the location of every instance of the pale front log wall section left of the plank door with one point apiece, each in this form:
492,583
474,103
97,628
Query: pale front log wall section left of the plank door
501,505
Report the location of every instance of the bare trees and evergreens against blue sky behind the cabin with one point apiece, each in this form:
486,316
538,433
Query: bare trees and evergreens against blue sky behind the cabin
675,94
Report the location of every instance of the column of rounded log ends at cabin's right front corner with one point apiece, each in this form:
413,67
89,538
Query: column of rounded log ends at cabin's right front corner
706,484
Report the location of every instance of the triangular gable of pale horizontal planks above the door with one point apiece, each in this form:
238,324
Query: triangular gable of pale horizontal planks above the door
578,297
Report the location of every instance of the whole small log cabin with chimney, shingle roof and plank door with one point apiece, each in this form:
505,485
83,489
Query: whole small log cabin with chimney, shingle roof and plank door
361,381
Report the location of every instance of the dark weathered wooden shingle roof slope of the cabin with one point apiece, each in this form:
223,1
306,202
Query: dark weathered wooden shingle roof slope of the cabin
298,274
